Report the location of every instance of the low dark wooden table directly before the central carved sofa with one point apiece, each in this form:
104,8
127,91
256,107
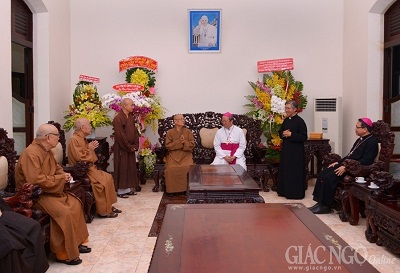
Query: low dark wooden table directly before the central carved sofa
222,184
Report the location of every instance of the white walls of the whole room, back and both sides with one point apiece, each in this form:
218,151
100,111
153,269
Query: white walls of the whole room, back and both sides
336,46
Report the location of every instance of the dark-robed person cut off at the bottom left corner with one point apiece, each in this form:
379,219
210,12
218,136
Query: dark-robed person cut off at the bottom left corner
21,248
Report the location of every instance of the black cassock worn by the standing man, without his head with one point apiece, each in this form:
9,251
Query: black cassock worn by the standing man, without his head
292,171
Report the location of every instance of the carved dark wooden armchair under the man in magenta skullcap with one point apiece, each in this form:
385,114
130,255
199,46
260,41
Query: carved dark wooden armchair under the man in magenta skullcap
354,168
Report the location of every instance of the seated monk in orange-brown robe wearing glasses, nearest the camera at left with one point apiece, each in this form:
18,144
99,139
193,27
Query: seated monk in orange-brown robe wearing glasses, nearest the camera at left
38,166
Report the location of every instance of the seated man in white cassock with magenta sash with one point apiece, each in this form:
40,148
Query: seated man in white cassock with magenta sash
229,143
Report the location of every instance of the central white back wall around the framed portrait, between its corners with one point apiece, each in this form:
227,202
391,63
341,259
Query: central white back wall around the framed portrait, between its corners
311,32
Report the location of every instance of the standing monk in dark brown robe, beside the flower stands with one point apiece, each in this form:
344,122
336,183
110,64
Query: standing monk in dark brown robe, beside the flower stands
126,143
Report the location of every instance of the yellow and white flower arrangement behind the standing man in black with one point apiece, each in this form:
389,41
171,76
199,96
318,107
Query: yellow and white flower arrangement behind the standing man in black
268,105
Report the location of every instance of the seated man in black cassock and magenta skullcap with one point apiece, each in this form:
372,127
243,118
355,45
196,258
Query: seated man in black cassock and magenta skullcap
364,150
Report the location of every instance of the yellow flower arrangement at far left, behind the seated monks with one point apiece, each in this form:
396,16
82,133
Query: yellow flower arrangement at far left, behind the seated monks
86,104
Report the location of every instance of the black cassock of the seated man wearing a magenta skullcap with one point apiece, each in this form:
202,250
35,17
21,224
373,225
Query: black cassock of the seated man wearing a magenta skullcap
364,150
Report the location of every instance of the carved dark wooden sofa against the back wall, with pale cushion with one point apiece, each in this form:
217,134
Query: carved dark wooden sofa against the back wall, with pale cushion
204,126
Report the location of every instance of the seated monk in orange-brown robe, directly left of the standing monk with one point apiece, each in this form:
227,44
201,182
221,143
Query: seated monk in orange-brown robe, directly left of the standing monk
102,182
